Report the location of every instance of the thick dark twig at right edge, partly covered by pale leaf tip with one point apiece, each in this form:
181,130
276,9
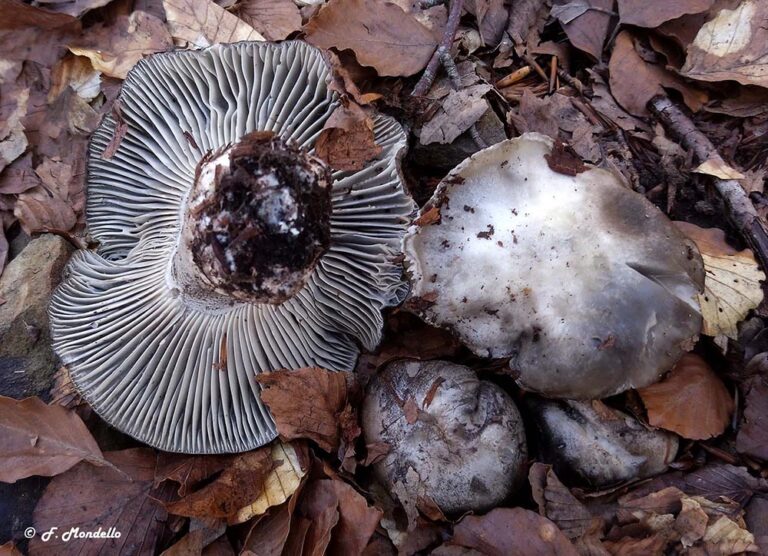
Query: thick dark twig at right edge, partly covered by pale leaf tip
740,210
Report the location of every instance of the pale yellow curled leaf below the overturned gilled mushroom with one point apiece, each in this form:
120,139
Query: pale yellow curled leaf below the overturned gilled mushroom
279,484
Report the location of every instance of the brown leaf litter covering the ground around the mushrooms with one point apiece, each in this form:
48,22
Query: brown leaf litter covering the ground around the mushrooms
581,72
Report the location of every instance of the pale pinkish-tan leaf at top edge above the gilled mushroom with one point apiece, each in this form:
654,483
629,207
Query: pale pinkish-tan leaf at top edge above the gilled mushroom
202,23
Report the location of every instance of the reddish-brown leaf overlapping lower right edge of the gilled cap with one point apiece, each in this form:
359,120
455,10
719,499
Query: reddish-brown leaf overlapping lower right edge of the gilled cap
305,403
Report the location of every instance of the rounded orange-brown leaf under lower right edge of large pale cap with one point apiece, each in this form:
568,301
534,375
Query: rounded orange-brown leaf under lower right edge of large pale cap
692,401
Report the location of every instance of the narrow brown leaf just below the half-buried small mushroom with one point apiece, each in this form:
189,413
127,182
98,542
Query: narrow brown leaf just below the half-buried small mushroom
557,504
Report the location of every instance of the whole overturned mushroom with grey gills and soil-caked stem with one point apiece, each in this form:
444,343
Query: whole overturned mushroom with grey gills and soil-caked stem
226,248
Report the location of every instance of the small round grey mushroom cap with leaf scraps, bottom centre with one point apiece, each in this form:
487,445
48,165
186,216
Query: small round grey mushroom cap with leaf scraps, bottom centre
452,438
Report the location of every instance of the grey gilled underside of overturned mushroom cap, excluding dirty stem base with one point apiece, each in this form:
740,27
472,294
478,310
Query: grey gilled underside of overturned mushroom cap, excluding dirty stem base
164,360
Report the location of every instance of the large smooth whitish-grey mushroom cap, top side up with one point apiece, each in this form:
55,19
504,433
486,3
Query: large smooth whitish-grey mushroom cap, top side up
583,284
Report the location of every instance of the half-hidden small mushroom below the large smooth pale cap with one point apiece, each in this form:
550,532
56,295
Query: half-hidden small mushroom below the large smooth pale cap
592,443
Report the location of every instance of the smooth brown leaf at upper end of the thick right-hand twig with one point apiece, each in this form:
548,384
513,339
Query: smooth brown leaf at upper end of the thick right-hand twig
634,81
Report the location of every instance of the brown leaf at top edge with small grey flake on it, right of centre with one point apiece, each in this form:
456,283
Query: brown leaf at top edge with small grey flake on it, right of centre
586,22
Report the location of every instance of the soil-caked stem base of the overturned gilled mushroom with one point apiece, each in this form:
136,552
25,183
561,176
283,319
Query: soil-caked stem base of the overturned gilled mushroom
259,218
